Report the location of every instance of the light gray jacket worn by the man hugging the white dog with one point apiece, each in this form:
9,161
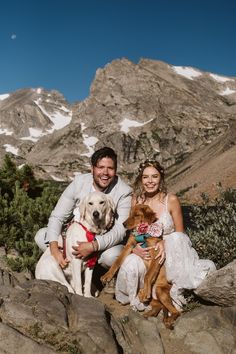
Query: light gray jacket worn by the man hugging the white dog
81,186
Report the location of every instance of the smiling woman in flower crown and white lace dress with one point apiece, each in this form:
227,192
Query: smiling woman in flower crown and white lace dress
184,269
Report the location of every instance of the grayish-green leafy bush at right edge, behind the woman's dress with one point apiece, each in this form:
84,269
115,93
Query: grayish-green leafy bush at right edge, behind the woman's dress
213,228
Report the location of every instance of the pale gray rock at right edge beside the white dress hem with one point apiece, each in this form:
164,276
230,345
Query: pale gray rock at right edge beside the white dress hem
220,287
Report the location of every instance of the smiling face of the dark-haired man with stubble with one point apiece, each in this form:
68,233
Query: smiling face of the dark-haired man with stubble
103,173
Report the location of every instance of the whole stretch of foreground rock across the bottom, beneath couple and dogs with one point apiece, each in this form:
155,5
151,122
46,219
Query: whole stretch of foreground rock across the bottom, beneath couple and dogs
42,316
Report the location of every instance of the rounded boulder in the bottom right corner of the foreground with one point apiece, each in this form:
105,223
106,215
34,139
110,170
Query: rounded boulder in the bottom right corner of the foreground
207,329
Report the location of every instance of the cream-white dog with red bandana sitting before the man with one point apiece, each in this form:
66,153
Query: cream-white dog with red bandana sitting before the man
96,215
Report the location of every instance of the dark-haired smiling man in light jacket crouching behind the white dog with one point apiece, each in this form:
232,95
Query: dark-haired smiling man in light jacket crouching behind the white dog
102,178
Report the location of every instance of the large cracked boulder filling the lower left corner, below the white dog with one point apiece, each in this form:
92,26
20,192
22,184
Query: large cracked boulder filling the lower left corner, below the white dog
45,314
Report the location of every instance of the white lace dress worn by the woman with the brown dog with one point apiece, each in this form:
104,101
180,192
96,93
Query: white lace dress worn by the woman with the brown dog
184,269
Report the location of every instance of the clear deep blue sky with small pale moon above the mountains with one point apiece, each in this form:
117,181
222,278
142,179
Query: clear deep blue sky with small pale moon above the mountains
59,44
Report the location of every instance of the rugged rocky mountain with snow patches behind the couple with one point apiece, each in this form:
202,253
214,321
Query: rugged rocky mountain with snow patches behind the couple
182,116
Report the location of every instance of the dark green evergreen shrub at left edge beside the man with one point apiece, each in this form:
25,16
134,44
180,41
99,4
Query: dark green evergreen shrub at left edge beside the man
25,205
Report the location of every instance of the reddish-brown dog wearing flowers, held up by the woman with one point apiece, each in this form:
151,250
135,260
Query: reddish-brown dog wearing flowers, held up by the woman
155,274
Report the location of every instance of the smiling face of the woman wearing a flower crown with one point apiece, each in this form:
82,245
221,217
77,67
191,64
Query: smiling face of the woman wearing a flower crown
151,180
